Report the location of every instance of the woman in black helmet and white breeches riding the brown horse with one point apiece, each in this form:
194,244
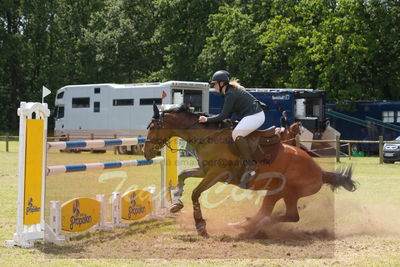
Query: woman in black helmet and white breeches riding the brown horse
240,102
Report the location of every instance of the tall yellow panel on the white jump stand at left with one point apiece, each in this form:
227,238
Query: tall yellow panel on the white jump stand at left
33,171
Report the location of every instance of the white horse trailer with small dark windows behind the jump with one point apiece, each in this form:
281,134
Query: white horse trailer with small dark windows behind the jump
120,110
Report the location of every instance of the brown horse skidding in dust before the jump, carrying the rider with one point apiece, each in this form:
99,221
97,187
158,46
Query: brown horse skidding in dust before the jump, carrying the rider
287,172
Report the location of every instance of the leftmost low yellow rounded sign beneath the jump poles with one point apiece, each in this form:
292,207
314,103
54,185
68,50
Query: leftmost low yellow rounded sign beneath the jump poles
79,214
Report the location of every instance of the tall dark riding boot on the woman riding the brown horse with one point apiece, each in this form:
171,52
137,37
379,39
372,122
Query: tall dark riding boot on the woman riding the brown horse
249,164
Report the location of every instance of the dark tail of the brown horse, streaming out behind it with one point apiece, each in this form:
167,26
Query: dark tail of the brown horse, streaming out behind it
341,177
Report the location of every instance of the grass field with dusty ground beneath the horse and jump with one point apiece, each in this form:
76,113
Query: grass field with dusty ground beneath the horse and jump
340,228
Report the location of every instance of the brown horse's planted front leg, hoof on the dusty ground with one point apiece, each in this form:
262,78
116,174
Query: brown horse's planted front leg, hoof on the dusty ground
211,179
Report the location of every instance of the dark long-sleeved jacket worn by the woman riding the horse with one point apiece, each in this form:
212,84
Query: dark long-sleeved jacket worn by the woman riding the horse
239,102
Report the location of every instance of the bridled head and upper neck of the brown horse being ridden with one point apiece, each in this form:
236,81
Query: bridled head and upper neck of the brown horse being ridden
165,125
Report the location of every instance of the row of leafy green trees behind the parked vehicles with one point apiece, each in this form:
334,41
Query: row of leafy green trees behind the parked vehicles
351,48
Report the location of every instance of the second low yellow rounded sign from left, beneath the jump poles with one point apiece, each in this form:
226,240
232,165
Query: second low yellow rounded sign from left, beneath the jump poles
136,204
